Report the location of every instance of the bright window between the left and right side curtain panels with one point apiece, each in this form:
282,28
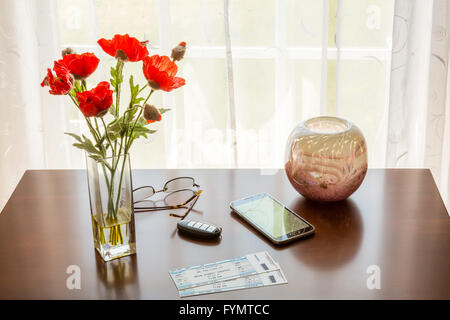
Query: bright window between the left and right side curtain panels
286,67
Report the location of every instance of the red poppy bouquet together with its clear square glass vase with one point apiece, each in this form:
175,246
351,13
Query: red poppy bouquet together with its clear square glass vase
112,131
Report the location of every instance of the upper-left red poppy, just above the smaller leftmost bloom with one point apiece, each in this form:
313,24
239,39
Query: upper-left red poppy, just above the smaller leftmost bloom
80,65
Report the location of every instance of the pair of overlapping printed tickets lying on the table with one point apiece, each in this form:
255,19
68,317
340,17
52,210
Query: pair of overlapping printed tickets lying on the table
252,270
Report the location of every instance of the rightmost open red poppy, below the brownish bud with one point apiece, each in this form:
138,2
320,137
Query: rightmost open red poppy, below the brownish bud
160,73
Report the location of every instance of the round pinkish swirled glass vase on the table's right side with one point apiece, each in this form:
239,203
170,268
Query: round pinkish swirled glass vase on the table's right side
326,158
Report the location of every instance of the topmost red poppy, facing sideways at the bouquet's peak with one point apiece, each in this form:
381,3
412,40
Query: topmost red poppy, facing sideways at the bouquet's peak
124,47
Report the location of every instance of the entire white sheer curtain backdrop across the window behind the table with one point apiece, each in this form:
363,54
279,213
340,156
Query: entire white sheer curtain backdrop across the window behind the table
254,69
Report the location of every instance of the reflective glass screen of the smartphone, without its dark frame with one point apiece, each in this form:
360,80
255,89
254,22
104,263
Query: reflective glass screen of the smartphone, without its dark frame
269,215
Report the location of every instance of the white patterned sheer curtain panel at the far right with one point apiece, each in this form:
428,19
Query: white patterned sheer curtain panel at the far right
419,108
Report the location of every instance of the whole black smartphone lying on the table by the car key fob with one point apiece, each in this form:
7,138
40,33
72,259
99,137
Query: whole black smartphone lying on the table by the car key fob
277,222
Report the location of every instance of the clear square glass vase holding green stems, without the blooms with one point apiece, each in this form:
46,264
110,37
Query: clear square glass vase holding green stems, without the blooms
111,201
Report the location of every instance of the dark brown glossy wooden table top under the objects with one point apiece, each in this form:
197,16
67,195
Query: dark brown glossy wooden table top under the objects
396,220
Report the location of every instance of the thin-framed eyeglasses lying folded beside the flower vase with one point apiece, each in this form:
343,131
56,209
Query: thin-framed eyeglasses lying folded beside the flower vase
179,192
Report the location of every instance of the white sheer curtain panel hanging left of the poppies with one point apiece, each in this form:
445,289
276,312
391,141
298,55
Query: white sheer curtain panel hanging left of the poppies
32,123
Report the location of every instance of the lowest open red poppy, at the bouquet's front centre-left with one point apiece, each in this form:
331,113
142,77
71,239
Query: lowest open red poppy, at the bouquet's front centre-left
97,101
